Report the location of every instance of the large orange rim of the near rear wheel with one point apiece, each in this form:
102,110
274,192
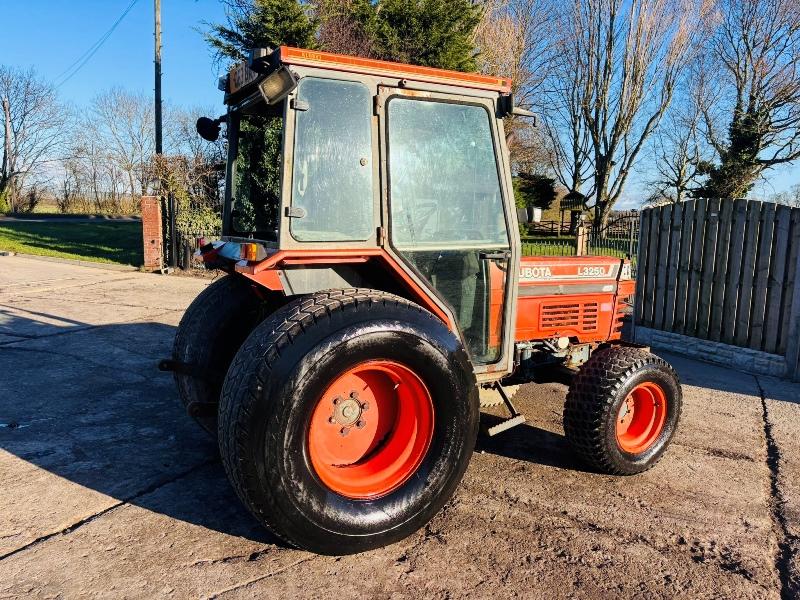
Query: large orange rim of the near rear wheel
371,429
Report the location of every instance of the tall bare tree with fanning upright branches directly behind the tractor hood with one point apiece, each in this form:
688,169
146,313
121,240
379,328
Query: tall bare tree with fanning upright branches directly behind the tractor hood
630,55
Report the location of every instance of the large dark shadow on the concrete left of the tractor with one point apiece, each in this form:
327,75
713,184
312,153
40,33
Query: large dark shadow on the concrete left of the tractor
92,408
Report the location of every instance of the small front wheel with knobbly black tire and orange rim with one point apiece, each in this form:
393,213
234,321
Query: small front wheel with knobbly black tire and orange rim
622,410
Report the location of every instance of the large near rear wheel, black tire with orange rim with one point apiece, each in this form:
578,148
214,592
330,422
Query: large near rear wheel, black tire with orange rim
280,380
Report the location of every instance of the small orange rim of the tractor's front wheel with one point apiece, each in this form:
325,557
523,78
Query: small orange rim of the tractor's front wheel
641,418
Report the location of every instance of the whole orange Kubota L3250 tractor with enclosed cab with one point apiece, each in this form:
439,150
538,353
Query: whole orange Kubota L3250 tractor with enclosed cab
375,298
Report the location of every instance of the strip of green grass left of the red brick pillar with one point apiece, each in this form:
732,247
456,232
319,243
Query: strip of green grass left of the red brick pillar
119,243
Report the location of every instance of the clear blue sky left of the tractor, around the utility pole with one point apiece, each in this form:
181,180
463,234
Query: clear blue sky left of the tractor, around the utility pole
51,34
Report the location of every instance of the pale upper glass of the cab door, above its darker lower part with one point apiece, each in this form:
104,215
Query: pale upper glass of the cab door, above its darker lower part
444,182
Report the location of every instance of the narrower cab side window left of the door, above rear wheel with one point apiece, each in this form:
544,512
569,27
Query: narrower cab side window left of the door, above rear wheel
332,178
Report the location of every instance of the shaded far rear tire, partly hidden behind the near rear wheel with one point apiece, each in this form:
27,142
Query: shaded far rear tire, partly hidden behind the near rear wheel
213,327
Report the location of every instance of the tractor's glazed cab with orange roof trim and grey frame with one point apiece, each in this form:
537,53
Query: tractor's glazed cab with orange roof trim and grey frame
402,168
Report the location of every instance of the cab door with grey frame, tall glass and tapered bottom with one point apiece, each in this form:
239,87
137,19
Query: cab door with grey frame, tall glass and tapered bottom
447,212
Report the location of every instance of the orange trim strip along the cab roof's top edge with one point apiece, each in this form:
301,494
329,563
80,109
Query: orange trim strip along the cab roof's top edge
369,66
